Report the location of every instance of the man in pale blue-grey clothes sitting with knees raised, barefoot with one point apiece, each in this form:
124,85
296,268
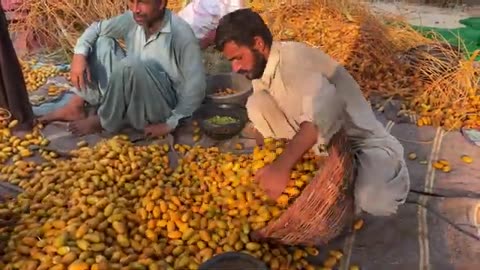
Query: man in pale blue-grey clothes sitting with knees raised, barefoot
159,80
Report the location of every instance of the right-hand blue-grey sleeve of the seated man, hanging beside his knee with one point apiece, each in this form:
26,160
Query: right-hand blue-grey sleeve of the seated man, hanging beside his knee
191,89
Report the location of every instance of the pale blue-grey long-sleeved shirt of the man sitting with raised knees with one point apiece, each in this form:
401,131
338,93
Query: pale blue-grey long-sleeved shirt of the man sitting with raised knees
174,47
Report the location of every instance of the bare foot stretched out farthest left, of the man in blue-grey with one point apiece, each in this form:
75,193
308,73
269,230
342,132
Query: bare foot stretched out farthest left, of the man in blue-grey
71,112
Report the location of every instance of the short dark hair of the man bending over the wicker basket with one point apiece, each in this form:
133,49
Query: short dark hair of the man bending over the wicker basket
241,27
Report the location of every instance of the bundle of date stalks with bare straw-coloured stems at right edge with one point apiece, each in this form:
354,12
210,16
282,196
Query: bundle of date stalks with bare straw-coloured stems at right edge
448,92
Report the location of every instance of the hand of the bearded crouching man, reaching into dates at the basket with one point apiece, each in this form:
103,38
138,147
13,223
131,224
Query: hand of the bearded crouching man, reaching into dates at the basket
273,179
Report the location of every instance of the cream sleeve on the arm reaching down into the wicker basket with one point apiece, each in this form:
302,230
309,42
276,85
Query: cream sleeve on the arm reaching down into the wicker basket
322,105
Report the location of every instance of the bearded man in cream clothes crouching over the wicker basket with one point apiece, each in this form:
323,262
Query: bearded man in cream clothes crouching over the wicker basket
302,94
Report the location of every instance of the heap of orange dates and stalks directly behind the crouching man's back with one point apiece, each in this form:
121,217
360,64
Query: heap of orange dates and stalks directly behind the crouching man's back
349,34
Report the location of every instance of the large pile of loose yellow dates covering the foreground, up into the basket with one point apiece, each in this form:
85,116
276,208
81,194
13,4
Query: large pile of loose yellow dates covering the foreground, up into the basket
120,206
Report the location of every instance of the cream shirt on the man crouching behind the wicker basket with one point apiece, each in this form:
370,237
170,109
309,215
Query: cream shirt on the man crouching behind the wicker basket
310,86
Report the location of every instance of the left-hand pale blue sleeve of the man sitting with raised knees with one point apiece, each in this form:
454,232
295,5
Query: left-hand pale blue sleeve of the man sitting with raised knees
116,27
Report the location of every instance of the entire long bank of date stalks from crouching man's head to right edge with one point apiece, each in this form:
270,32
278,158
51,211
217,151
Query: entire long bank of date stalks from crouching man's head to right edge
370,47
